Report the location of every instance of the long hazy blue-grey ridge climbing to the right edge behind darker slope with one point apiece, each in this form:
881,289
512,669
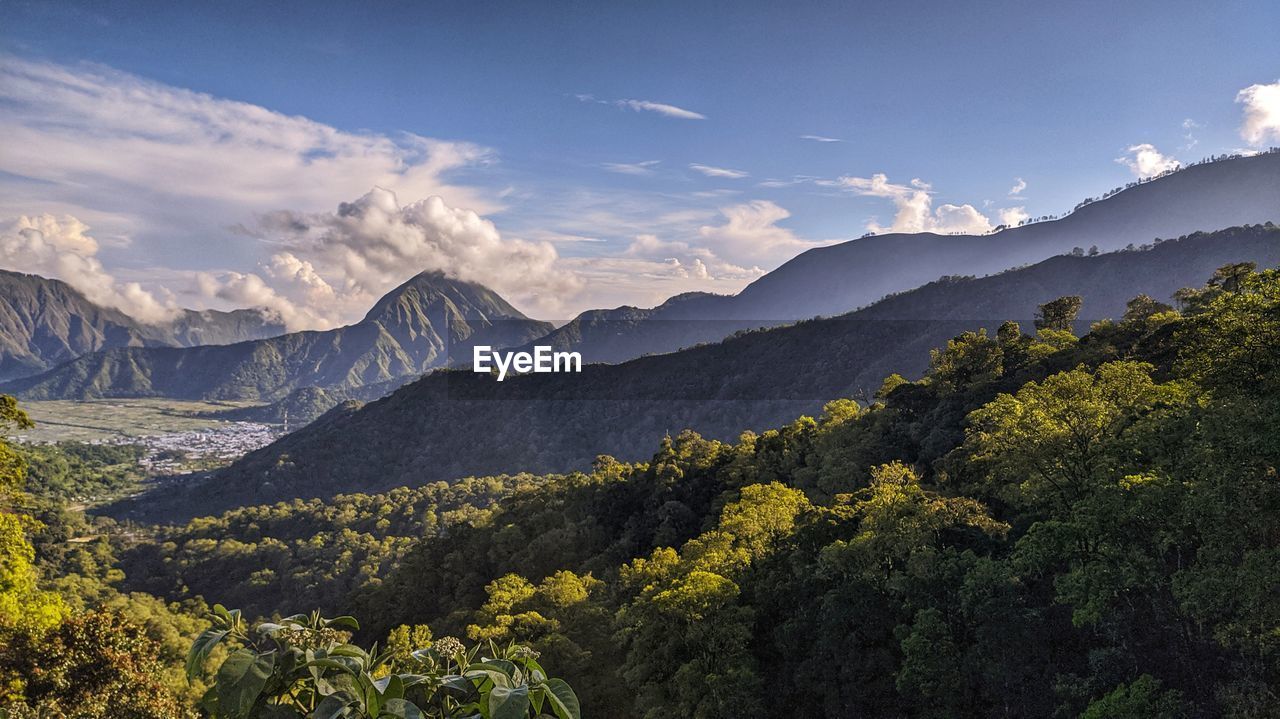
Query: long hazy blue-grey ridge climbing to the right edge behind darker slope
835,280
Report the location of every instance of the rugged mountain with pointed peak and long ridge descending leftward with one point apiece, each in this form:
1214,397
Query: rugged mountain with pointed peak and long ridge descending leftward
410,331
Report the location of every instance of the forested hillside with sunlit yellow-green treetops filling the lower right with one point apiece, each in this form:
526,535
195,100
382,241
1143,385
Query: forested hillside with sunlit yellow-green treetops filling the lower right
1044,525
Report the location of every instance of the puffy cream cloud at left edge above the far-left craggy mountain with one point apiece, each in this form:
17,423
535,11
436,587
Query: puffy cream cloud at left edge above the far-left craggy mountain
62,249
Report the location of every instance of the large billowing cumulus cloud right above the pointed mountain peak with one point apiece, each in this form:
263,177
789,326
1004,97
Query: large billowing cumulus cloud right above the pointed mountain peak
337,264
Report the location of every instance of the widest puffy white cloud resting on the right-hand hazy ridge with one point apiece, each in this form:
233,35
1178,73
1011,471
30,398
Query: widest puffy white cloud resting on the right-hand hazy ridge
915,207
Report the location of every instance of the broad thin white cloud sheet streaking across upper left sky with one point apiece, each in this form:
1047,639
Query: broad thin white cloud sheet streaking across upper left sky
171,170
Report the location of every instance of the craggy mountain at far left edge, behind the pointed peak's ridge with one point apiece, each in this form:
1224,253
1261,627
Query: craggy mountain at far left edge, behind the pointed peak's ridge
45,323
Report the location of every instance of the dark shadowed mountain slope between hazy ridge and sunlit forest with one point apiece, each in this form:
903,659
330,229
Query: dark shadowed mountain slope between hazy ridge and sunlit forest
454,424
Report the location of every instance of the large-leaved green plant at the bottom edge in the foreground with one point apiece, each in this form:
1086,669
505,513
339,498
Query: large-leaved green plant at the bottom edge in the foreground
303,667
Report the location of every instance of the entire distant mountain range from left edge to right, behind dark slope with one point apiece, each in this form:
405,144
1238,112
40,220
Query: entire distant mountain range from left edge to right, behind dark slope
60,346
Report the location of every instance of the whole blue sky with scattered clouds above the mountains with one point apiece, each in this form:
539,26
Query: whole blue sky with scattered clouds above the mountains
624,152
